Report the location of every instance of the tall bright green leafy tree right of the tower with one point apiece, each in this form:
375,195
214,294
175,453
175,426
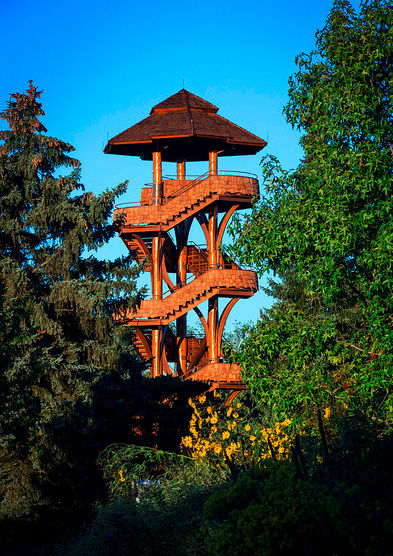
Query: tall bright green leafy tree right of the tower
329,225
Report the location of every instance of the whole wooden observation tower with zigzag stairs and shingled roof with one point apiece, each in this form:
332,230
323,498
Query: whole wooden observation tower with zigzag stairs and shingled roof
185,128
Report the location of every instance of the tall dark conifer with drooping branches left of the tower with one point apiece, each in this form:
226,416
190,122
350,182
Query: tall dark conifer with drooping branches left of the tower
59,339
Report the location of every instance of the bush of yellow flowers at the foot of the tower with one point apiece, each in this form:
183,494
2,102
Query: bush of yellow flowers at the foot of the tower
227,435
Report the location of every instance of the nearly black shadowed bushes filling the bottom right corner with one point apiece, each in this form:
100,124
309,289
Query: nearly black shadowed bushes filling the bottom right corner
342,506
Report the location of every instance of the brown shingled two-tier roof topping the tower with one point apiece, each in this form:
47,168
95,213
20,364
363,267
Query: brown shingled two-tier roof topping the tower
184,127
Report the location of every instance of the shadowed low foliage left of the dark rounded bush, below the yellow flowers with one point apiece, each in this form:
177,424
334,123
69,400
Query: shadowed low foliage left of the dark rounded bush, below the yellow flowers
165,517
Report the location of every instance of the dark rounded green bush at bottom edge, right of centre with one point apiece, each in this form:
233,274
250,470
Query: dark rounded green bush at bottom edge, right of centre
269,512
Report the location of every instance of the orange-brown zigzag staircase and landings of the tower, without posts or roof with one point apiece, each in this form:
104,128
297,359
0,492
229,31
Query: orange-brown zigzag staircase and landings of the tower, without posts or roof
184,200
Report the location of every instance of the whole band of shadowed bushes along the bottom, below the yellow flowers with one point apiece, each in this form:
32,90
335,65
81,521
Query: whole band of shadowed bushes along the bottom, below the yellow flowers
333,499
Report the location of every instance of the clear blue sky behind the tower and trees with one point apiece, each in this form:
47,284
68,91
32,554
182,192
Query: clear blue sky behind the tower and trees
102,67
